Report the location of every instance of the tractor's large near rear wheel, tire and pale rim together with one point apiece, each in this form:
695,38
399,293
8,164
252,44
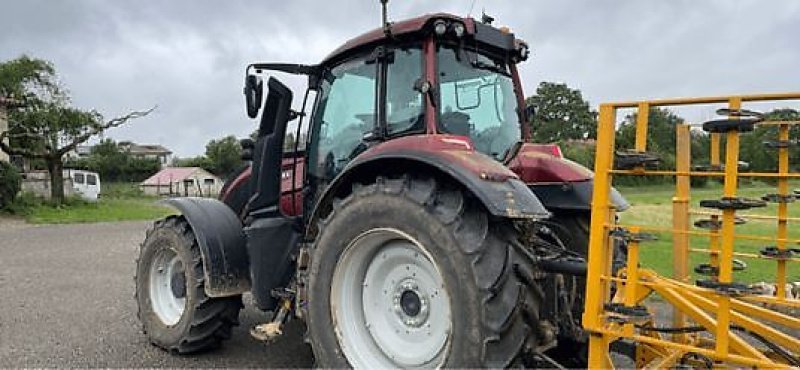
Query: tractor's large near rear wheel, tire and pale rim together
414,273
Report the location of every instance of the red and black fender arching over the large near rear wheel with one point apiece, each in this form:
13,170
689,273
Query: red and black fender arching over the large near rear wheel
500,190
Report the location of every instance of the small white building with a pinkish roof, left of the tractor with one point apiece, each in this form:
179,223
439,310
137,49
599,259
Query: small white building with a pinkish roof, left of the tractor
182,181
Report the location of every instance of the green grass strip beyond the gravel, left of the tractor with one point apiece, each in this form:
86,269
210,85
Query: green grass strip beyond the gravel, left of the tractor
118,202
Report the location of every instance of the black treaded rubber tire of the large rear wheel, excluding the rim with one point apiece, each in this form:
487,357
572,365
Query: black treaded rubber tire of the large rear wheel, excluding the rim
494,307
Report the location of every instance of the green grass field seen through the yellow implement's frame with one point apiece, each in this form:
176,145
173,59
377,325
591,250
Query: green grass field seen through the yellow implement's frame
652,206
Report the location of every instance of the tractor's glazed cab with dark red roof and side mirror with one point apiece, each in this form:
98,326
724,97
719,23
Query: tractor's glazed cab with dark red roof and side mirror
437,74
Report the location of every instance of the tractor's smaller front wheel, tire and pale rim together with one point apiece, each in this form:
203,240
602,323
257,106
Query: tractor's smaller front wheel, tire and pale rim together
175,312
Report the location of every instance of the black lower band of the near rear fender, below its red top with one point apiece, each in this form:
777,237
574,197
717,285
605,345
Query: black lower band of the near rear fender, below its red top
507,197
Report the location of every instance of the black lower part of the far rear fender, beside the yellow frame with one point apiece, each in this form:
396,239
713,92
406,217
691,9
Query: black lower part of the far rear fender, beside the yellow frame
573,196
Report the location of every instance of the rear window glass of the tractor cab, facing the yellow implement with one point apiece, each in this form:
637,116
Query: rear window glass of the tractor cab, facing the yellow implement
477,100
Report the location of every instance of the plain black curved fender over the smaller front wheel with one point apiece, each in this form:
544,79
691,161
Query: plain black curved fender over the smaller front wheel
222,244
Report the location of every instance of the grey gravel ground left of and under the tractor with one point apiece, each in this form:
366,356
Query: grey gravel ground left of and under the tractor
67,301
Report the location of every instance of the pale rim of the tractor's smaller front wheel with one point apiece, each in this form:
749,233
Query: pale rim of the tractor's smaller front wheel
168,286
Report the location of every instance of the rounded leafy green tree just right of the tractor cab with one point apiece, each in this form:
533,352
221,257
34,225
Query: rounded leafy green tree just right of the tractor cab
561,114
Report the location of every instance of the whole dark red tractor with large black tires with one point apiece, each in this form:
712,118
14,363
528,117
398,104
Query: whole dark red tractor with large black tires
413,225
